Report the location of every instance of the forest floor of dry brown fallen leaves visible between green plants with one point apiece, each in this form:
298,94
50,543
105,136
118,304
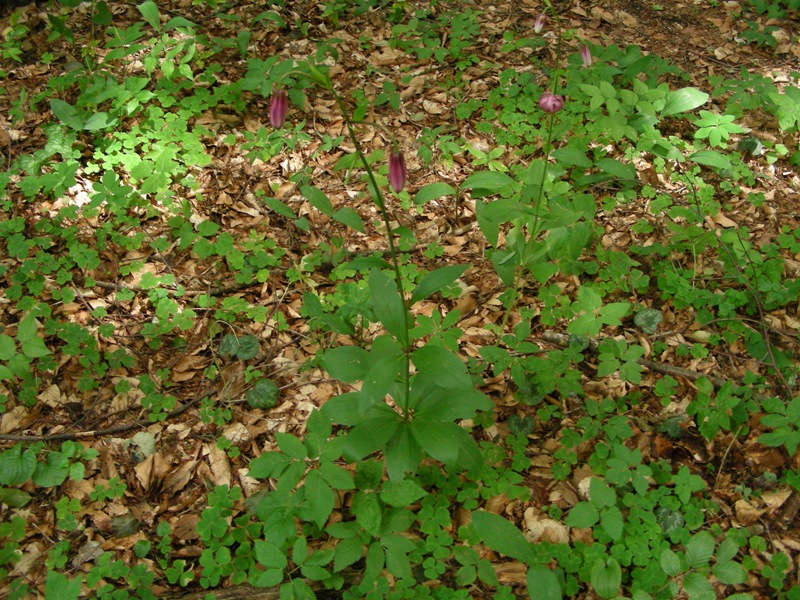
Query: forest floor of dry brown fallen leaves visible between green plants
703,39
